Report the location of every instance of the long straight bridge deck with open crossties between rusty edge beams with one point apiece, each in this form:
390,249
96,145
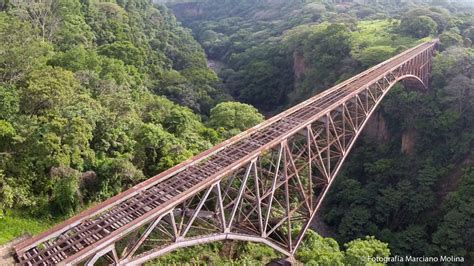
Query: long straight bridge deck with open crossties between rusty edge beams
101,225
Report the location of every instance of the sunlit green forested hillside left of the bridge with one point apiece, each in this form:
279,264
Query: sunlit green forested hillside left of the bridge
79,118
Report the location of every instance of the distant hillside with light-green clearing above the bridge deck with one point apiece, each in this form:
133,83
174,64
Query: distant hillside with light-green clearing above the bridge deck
273,54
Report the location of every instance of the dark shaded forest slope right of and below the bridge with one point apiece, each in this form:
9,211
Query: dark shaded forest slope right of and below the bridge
395,195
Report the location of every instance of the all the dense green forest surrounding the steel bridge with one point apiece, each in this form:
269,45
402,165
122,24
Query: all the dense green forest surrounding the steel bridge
97,96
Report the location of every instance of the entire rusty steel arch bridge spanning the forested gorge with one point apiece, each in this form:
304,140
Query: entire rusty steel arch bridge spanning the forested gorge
264,185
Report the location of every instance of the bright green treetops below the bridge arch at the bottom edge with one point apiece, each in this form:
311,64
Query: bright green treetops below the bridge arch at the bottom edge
314,250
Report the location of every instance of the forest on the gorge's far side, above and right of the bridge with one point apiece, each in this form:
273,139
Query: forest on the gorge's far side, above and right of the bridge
409,180
